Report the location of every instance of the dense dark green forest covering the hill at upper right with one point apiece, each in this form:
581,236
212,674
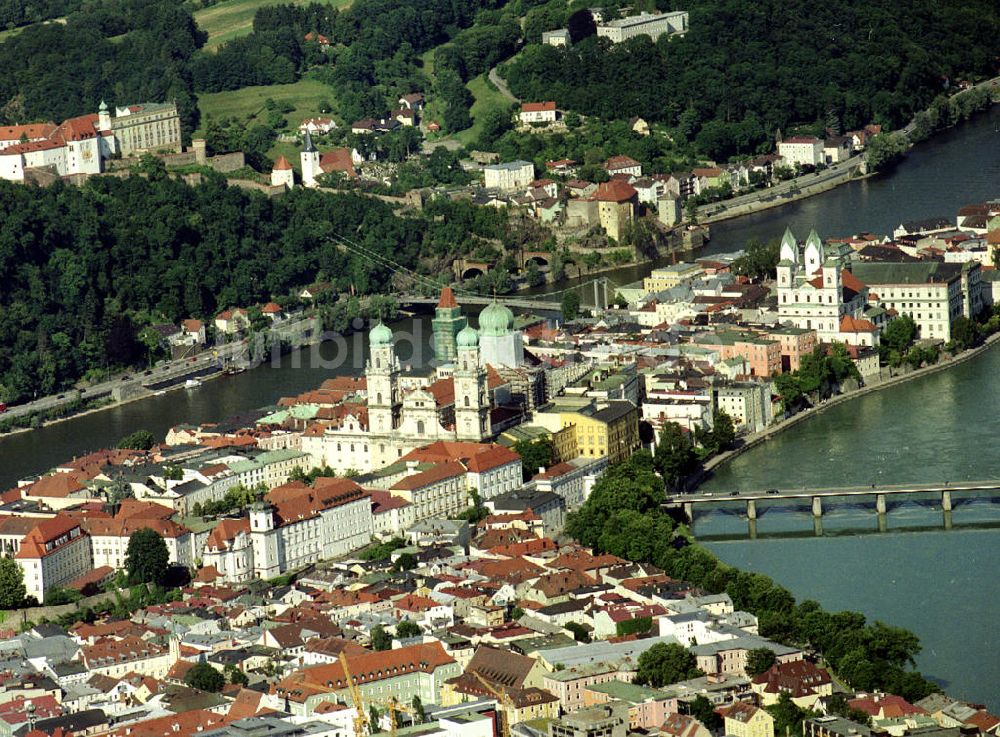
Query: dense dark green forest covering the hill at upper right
747,69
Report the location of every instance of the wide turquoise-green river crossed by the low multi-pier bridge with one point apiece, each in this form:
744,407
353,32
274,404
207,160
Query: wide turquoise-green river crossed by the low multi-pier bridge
940,584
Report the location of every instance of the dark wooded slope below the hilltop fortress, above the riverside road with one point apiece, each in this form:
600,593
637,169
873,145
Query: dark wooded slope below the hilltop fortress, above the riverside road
85,267
